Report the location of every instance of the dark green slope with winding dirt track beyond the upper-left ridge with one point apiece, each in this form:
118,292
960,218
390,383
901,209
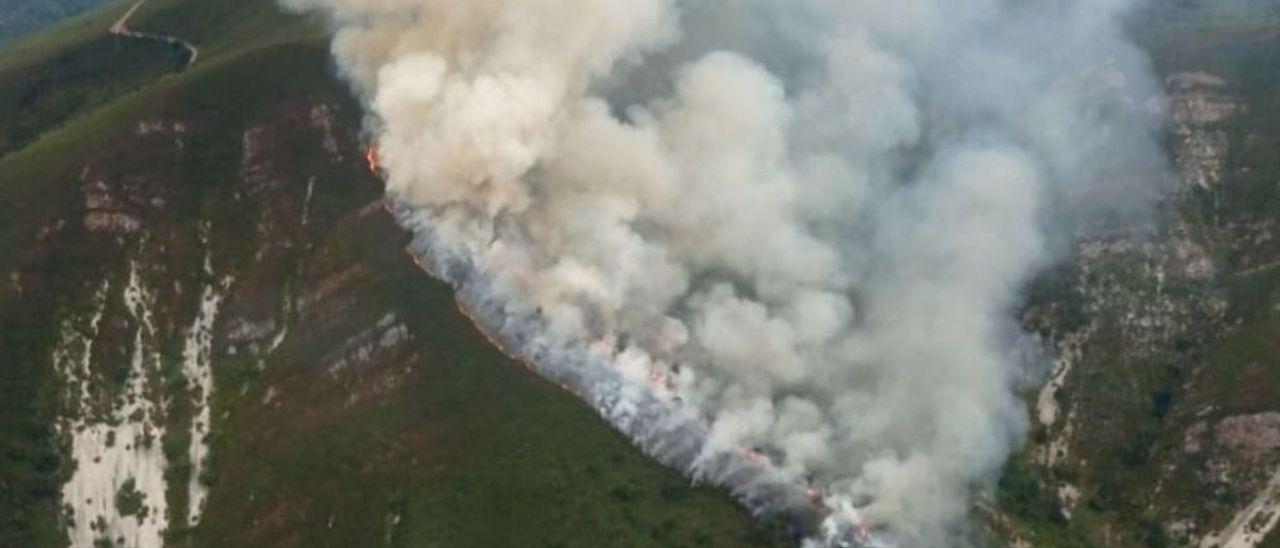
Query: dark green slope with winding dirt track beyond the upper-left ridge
53,77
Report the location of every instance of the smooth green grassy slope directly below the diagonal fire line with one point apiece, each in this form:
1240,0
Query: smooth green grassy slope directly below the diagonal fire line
473,451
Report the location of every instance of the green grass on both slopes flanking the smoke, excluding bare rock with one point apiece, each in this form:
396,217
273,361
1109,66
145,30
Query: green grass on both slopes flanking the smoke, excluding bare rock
469,450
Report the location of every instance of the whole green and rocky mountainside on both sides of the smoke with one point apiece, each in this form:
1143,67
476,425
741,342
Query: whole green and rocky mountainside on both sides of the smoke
212,332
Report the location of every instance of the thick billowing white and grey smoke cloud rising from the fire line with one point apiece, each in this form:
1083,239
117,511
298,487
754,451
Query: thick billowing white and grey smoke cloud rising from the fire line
778,243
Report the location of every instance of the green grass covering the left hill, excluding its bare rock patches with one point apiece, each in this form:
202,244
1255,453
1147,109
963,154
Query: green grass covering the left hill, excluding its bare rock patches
469,450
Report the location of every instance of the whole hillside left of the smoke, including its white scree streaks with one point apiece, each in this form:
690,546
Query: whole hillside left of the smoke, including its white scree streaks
196,262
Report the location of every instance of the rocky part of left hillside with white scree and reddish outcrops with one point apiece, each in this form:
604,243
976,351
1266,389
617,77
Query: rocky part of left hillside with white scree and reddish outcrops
185,291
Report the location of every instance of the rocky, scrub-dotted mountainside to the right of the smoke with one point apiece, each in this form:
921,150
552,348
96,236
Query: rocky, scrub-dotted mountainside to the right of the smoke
1158,426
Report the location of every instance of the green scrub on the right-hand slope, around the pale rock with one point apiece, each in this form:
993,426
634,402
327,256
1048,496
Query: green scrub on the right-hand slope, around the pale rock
1133,404
